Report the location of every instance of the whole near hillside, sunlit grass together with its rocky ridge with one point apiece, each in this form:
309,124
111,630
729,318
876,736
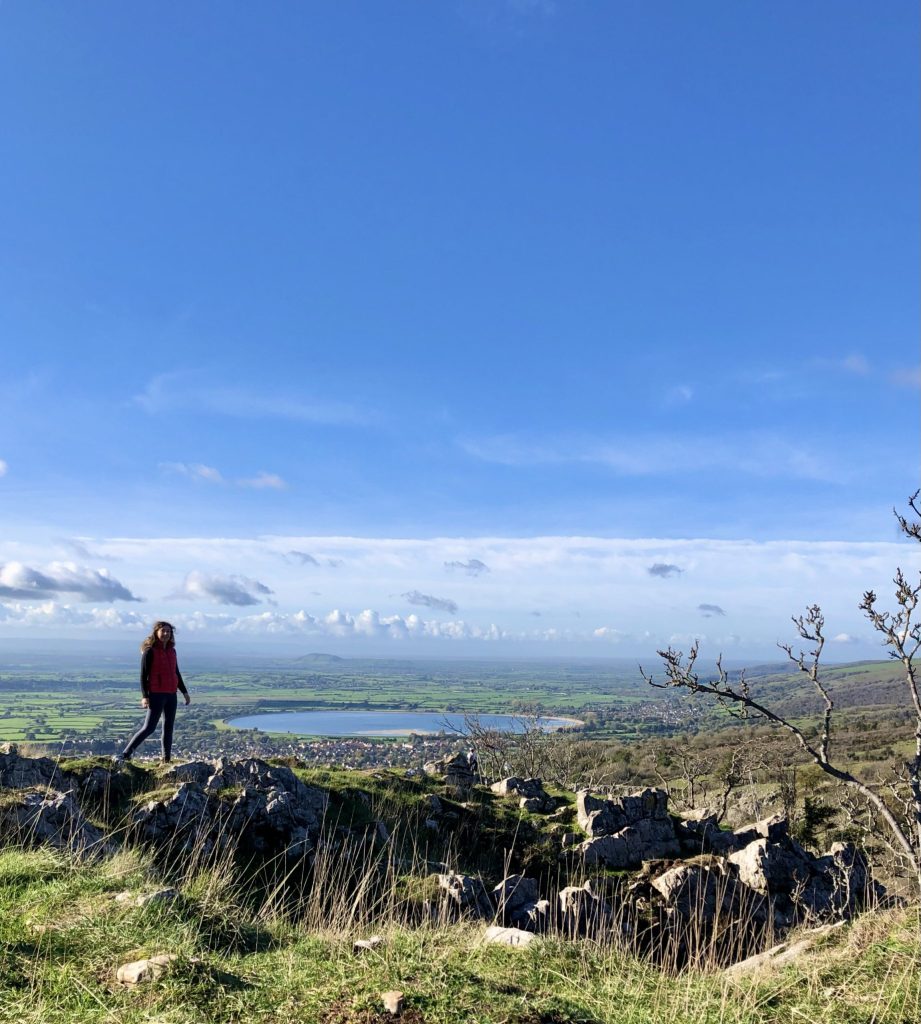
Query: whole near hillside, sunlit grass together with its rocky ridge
261,878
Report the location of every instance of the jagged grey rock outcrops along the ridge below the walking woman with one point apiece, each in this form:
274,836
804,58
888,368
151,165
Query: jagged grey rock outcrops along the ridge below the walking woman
634,867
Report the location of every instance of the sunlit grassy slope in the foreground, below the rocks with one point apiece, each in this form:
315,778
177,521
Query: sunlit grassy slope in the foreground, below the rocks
64,935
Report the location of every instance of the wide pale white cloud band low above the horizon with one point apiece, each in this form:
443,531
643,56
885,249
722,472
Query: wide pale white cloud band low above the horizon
604,583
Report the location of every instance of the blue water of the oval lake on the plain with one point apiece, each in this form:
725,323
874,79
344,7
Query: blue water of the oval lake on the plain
378,723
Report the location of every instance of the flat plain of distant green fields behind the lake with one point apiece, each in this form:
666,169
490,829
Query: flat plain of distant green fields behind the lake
50,701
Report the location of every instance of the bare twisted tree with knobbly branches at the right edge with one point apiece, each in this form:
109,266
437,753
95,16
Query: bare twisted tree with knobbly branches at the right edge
901,632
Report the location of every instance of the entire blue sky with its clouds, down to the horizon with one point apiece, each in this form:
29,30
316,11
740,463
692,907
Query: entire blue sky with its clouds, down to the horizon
568,289
